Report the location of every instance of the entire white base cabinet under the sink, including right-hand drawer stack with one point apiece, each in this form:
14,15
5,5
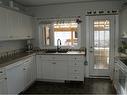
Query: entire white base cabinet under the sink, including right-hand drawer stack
60,67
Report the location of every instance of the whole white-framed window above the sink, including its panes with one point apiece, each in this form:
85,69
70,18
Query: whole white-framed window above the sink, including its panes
68,31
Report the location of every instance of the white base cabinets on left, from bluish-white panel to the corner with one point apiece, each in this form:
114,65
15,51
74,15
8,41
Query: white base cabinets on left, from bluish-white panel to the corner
20,76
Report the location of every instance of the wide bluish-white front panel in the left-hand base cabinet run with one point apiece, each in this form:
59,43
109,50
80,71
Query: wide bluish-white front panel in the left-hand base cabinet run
15,79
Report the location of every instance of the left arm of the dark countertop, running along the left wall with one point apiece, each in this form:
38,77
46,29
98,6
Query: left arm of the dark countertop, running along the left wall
12,59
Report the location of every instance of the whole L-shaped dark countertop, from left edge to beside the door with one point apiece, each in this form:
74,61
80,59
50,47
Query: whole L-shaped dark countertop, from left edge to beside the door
19,56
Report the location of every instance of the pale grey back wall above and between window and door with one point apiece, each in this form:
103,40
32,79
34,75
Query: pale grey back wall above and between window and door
74,9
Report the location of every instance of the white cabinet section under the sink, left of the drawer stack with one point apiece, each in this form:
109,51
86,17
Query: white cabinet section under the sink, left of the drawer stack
51,67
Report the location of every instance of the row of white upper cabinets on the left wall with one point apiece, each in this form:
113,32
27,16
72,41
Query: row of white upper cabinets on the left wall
15,25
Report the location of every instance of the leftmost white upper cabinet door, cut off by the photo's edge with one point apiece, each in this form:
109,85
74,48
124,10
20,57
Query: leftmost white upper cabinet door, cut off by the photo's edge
4,29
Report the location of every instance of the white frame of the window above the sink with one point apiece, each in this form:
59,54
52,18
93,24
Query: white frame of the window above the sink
52,46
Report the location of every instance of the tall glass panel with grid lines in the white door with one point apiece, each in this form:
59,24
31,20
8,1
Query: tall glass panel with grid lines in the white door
101,44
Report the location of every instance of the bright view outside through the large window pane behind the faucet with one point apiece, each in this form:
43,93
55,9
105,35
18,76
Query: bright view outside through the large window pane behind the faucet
67,33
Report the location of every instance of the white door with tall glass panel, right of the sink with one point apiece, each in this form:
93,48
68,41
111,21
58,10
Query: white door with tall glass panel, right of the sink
101,44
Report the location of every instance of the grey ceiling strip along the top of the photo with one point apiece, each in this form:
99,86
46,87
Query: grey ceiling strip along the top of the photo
47,2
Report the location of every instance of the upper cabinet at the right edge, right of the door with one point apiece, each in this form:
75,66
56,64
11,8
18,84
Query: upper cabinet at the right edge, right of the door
123,23
